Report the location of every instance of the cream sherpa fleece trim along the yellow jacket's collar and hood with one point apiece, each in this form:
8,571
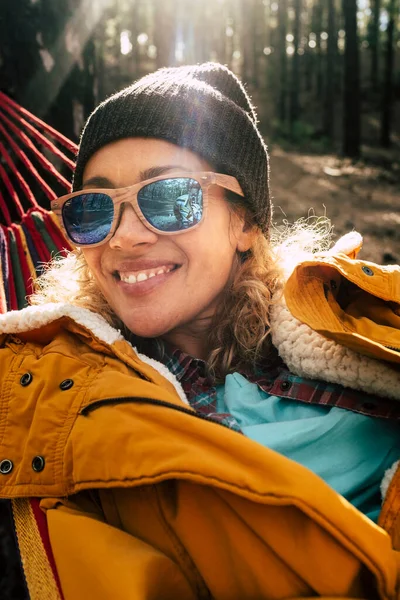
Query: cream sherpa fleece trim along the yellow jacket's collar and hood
305,352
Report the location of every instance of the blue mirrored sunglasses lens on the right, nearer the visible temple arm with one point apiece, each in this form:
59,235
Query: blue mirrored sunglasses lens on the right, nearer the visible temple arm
172,204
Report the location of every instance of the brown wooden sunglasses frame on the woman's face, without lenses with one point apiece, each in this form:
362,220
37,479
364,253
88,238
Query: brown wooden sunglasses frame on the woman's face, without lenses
120,196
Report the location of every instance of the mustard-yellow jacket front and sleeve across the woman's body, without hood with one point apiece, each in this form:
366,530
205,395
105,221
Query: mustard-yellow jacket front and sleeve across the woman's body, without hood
147,500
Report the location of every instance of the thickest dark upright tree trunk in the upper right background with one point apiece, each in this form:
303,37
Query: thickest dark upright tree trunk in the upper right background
351,95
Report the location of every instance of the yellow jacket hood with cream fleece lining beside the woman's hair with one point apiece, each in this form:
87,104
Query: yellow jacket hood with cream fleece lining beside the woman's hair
339,320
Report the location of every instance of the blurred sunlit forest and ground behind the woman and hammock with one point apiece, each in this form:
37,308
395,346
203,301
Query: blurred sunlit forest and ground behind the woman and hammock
323,74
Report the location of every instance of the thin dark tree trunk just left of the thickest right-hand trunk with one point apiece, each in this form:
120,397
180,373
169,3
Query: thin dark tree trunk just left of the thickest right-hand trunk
329,111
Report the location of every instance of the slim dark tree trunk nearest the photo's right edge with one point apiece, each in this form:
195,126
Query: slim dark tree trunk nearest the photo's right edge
387,99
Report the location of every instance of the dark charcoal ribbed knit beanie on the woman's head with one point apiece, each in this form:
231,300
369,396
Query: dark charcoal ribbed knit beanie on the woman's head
203,108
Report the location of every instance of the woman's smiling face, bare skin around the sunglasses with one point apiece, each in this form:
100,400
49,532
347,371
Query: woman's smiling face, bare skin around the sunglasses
187,273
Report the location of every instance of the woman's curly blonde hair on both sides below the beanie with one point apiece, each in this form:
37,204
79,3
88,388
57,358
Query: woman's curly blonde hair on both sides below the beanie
239,335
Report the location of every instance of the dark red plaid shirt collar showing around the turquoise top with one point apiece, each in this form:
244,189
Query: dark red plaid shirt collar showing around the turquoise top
202,396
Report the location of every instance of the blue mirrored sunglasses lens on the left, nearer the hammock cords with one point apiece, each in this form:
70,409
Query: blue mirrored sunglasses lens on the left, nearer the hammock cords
87,218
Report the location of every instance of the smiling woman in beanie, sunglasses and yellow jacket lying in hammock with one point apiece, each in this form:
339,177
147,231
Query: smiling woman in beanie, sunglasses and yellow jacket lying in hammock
146,494
